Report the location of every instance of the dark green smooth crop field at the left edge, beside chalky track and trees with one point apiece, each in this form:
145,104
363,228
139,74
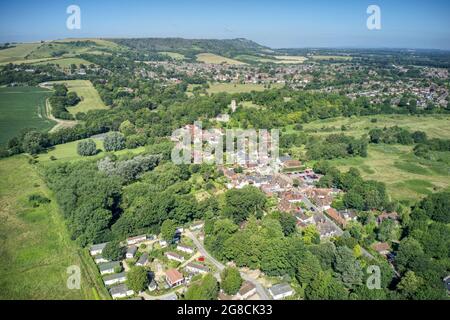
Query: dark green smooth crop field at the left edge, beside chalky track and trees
20,108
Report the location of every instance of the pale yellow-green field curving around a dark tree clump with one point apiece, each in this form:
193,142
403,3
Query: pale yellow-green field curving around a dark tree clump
90,99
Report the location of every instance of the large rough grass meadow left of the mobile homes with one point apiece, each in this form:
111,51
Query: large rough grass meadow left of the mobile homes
35,248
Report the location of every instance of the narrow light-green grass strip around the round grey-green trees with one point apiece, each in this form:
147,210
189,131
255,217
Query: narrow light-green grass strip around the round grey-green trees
68,152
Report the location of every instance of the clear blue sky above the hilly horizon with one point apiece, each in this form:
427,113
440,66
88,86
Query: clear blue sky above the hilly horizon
281,23
